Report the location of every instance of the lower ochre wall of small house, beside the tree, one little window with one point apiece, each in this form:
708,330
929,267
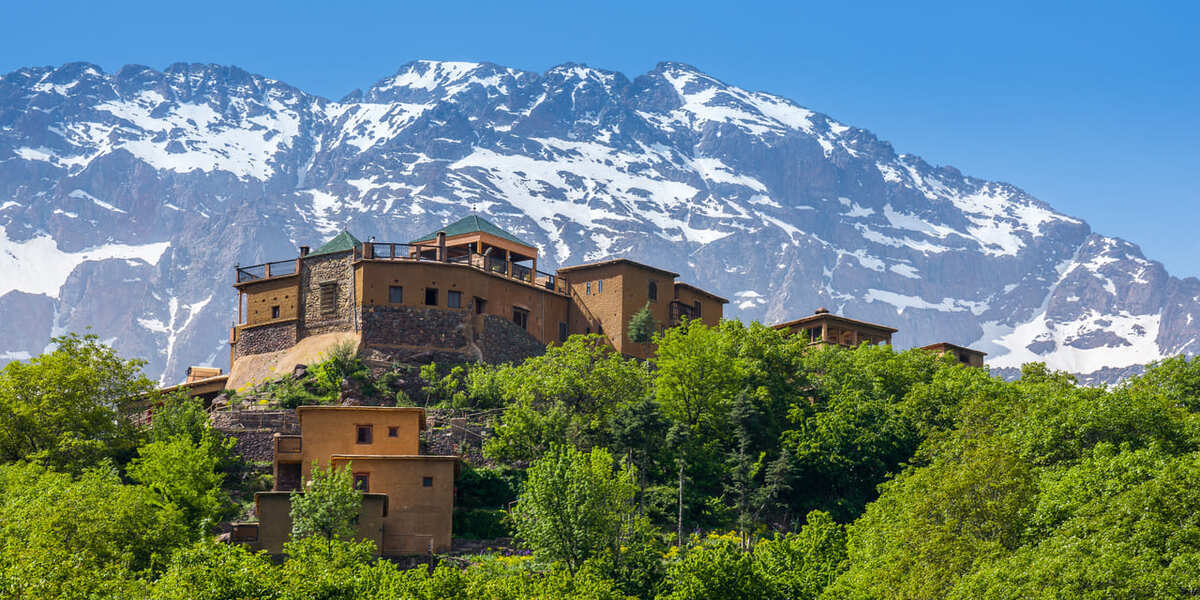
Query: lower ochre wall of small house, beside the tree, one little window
415,512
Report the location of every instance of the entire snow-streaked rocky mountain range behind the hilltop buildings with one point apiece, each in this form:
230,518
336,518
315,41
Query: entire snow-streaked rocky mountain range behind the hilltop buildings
127,199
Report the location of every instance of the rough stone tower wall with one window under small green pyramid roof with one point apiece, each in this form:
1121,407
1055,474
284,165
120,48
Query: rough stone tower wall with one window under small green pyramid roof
323,269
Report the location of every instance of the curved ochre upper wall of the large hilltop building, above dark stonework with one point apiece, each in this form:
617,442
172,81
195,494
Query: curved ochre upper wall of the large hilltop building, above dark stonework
547,309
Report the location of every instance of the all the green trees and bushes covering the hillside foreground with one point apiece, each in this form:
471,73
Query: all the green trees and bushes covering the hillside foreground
736,464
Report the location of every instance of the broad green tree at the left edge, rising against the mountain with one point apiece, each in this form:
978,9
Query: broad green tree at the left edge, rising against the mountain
65,409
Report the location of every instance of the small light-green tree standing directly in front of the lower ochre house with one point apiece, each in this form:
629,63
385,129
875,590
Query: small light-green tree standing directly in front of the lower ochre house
328,507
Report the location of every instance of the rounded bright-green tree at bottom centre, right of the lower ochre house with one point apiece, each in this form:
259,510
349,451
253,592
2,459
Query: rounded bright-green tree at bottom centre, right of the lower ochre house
575,506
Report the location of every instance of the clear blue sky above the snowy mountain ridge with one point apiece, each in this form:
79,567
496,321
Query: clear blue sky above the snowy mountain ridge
1094,107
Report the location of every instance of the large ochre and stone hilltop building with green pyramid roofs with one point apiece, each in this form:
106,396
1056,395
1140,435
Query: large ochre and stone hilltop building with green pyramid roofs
470,292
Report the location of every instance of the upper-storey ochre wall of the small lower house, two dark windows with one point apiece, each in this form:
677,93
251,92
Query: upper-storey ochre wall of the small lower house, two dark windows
329,431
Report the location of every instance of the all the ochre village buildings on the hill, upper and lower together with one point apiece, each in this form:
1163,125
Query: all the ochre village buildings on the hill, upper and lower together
470,292
